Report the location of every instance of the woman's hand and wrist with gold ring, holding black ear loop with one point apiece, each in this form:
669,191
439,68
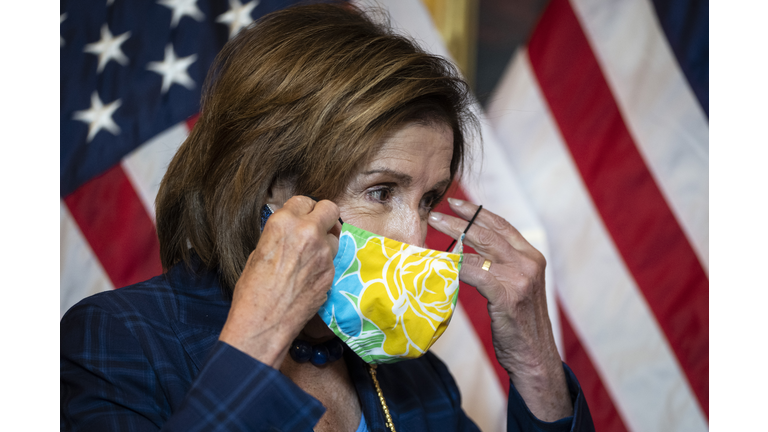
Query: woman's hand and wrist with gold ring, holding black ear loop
517,303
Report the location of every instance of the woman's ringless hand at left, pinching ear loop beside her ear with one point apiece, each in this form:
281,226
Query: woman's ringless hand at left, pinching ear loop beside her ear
285,280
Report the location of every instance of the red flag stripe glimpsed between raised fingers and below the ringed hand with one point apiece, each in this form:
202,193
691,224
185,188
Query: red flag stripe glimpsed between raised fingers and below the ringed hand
474,304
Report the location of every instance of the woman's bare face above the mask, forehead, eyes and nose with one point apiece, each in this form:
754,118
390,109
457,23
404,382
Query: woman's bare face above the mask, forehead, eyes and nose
394,193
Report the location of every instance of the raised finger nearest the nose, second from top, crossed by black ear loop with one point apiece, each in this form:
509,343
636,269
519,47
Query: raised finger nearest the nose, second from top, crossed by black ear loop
483,240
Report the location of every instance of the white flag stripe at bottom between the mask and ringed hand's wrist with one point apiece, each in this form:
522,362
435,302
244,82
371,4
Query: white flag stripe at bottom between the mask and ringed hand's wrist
483,398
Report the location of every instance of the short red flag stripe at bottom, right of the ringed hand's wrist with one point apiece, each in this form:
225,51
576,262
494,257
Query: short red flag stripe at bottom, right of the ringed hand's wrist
601,407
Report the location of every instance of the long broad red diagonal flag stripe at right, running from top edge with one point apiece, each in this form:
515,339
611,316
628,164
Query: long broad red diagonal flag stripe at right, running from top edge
642,226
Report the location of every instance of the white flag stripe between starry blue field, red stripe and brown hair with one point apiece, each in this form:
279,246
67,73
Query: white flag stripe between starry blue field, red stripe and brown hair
146,166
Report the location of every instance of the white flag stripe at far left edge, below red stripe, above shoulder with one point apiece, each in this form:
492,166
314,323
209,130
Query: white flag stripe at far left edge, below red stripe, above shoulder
81,273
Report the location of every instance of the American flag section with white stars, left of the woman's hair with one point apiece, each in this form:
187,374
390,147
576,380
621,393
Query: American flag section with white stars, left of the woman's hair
131,75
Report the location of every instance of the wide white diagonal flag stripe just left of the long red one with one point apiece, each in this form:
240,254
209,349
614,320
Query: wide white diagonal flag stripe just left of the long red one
607,311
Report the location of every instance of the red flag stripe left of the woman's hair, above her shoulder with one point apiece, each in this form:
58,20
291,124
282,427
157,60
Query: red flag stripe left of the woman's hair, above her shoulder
117,227
